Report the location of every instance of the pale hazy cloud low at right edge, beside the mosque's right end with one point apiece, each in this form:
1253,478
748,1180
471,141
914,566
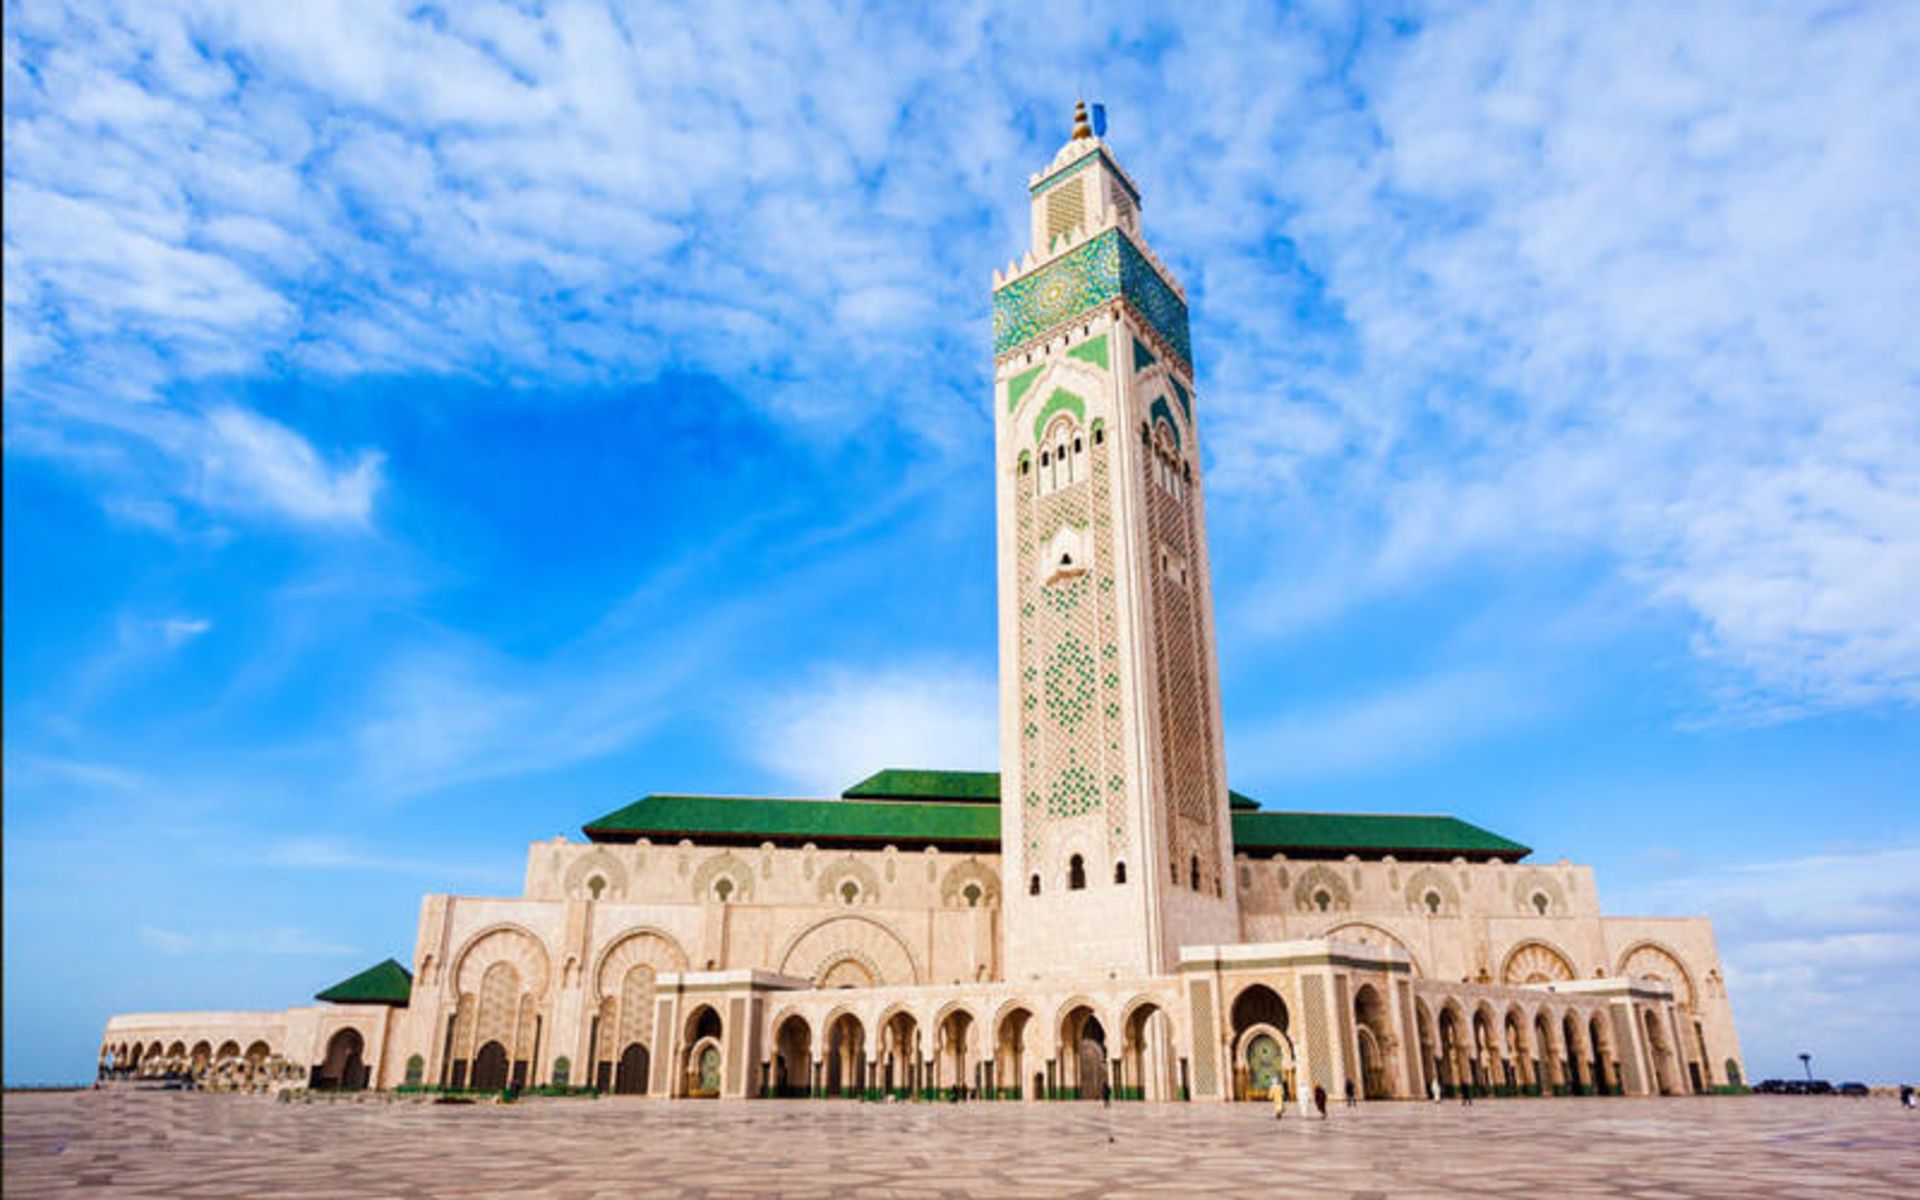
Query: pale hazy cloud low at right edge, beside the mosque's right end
1823,955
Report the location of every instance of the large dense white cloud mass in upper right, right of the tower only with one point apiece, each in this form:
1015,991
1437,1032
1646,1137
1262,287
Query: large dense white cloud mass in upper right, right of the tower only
1637,283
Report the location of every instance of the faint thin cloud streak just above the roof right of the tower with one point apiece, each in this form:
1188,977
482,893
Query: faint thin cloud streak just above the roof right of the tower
1393,729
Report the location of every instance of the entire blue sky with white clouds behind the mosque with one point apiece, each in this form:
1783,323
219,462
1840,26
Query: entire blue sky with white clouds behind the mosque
431,427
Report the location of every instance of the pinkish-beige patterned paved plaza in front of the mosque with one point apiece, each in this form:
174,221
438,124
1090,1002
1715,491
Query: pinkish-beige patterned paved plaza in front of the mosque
201,1145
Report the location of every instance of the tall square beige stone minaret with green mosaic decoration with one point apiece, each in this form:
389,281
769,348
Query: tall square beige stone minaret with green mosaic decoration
1115,830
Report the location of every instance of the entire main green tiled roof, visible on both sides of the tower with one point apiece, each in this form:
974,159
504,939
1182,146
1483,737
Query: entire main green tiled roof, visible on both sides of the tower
961,811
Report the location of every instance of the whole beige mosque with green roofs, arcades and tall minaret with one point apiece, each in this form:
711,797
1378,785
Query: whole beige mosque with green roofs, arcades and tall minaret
1103,917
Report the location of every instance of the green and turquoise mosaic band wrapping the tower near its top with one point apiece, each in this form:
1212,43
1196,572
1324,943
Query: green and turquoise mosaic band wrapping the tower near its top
1086,277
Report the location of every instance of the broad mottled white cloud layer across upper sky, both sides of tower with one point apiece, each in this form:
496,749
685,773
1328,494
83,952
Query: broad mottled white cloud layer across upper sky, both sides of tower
1633,283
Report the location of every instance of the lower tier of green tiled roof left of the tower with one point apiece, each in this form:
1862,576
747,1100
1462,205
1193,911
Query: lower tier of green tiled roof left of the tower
825,823
